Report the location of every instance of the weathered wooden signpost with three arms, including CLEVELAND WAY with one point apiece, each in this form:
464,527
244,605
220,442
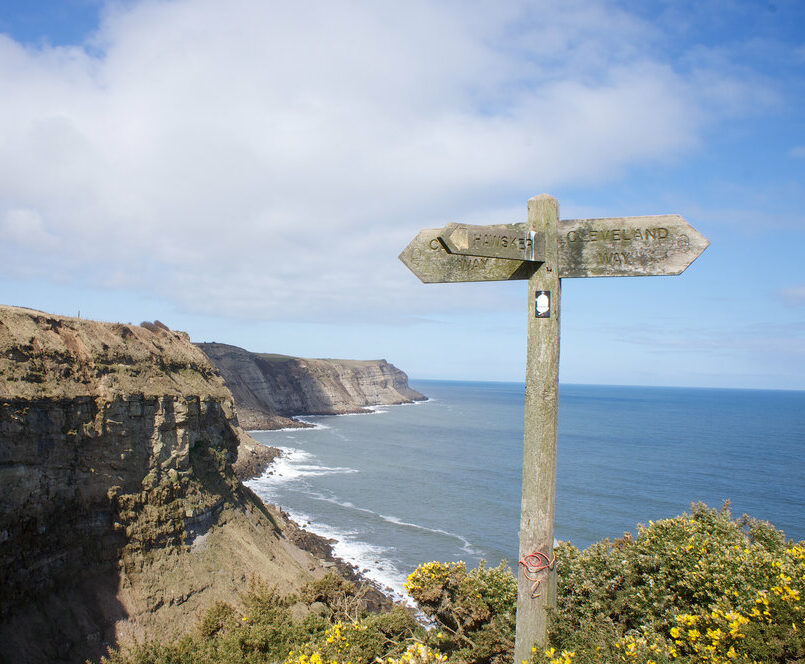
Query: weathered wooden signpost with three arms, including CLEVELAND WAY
545,250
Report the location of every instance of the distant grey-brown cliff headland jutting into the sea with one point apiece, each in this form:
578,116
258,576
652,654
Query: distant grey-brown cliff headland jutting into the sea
269,389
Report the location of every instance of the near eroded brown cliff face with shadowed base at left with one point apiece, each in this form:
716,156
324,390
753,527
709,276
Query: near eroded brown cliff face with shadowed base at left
120,515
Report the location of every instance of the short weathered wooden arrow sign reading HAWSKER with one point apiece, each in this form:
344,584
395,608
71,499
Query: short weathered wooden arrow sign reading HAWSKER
512,241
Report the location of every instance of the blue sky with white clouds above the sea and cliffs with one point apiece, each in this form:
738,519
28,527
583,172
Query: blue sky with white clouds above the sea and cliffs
249,171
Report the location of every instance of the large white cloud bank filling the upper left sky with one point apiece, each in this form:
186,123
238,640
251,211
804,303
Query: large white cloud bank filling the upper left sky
266,159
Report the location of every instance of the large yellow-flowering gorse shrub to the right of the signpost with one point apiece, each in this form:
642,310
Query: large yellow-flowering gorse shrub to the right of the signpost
701,587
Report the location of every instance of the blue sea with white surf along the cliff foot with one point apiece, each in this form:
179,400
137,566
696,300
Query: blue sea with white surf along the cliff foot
440,479
